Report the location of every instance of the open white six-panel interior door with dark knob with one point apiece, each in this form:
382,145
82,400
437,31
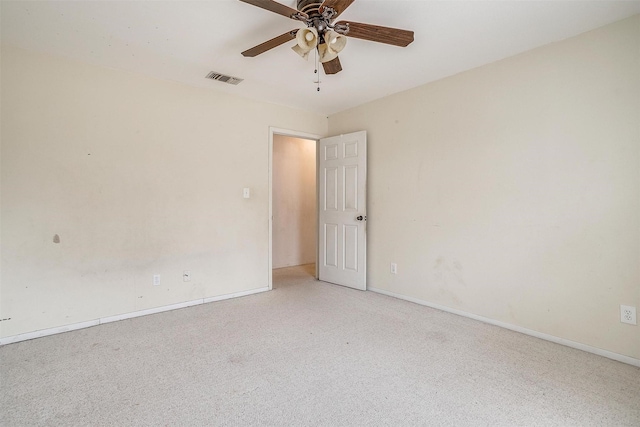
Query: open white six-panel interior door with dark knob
342,210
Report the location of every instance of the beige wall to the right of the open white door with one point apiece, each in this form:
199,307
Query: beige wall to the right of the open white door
512,191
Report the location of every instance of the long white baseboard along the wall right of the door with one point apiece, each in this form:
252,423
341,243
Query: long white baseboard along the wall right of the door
573,344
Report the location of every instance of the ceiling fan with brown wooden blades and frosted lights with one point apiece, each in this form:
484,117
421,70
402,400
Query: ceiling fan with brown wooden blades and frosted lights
322,33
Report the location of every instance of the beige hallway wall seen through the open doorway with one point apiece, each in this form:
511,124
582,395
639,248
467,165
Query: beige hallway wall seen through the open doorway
294,201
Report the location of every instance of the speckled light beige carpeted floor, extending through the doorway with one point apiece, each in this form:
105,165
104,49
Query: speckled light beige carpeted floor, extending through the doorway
310,353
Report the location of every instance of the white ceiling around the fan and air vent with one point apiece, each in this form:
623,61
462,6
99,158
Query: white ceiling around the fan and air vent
183,40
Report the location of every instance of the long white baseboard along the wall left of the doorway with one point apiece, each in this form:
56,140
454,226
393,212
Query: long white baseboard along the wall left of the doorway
109,319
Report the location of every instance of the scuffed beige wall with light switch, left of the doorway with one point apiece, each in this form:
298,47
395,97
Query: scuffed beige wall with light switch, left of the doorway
137,177
